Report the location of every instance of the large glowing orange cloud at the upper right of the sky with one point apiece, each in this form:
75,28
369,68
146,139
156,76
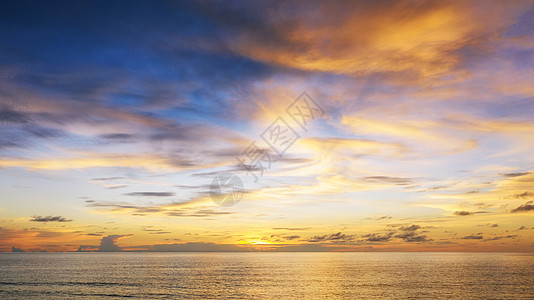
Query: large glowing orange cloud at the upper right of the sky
399,37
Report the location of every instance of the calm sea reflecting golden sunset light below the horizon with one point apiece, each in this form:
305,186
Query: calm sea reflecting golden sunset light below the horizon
267,275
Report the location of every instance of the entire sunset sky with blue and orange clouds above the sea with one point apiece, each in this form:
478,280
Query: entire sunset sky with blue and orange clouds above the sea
407,125
